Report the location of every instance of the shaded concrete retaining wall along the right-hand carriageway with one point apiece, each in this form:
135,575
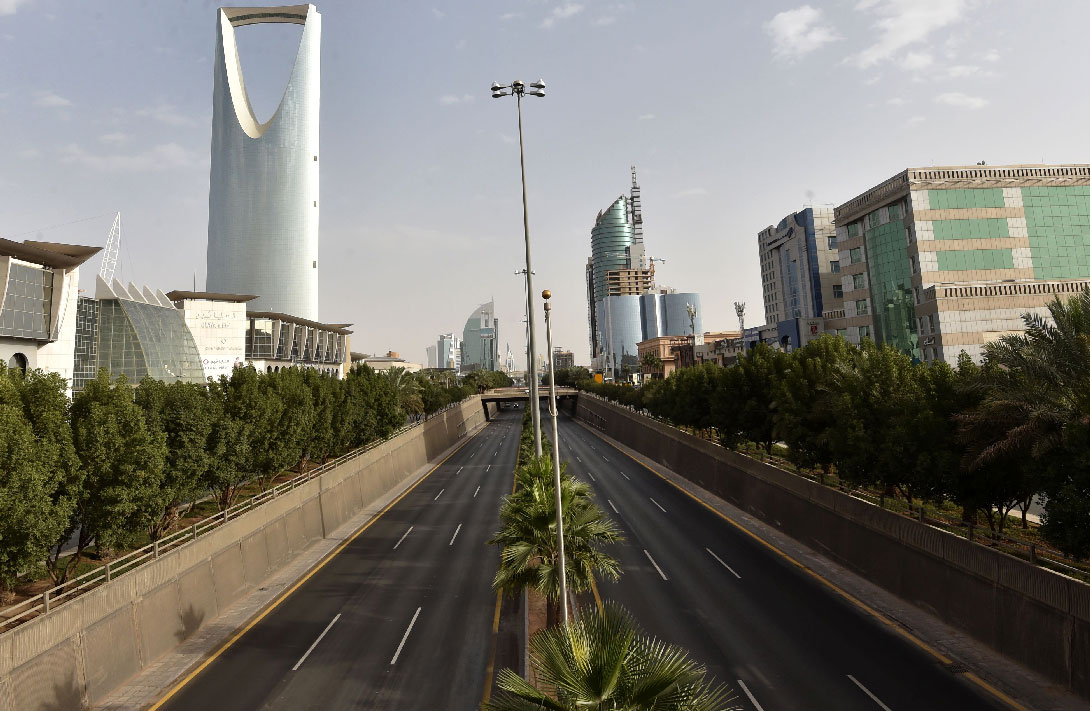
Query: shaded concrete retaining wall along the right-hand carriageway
1040,619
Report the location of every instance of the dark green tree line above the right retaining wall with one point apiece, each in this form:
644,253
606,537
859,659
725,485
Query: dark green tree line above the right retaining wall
990,437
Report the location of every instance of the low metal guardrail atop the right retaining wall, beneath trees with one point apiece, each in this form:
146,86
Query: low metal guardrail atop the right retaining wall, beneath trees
1023,550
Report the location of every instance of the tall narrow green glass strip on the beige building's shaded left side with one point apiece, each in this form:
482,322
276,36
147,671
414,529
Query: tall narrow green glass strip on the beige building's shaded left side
893,302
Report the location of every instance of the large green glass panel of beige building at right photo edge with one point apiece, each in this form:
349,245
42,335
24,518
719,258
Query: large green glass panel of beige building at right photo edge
1058,223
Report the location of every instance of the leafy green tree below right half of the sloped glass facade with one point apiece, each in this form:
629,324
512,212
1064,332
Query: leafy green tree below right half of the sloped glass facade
183,414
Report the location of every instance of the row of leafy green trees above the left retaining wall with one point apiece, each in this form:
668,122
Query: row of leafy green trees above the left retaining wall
118,465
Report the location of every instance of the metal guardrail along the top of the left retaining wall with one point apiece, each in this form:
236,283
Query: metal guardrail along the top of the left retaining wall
44,602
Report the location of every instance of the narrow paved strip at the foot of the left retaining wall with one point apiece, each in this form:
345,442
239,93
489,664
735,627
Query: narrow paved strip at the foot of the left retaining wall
159,678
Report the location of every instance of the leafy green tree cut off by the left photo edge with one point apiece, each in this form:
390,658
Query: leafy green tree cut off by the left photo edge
35,509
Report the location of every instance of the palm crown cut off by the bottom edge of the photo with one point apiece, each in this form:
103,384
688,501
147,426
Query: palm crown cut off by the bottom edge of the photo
602,660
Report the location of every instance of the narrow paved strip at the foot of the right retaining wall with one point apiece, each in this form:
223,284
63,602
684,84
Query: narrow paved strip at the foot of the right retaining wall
1027,689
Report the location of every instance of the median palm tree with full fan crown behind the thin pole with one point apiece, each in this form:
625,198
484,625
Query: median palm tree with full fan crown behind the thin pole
528,534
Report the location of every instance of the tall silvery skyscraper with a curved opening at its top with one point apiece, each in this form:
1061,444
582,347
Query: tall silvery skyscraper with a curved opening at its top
263,199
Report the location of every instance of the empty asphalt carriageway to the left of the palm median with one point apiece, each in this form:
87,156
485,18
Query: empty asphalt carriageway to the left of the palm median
402,619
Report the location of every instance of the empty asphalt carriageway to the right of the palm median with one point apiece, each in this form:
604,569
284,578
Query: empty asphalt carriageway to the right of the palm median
780,637
